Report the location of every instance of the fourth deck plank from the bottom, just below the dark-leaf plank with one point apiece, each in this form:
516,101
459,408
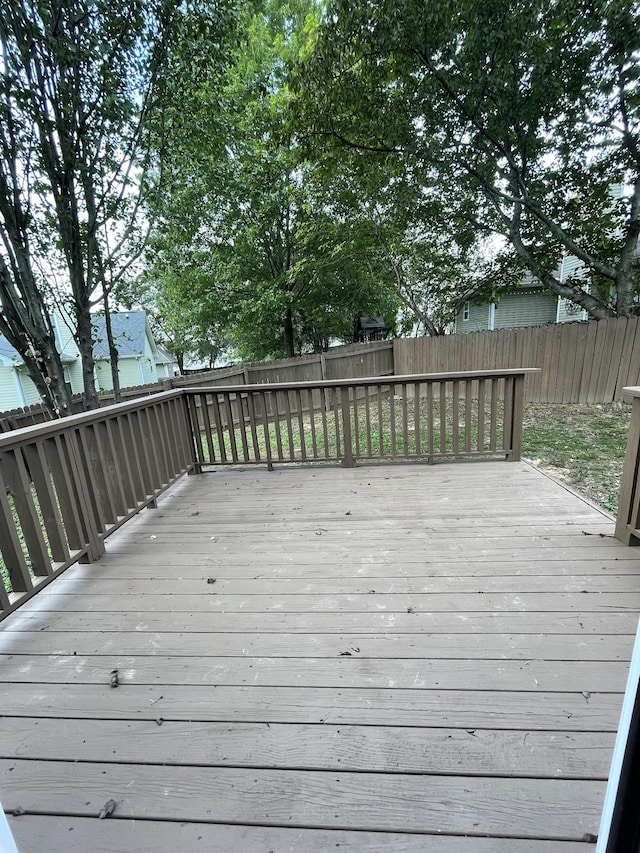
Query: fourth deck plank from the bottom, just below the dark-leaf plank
459,709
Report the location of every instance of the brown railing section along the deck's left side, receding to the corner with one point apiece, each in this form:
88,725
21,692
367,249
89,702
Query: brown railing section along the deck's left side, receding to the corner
67,484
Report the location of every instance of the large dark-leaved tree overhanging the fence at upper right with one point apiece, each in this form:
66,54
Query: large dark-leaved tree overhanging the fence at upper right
522,116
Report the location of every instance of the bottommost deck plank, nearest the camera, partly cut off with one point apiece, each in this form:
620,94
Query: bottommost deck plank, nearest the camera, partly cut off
35,833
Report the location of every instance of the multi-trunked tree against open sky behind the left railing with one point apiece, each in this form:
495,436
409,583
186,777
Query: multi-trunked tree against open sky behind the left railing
79,80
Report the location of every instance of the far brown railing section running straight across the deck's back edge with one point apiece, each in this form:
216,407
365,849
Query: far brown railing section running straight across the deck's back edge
427,416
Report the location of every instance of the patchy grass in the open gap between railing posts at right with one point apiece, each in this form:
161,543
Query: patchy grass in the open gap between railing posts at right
583,445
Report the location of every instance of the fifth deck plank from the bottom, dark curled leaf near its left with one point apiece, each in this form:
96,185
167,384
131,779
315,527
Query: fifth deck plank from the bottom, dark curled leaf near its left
342,671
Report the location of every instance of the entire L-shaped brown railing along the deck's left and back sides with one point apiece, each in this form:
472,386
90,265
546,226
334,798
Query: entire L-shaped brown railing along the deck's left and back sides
66,485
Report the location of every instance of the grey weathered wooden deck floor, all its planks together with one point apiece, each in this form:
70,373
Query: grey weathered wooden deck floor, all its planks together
386,658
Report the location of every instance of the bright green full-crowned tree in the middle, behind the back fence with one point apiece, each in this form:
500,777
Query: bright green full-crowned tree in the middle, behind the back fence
244,227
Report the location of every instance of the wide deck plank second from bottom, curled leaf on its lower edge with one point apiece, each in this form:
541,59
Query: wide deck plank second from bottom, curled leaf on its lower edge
372,802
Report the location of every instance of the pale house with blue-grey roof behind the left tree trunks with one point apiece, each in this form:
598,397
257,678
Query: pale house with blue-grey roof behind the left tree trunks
140,361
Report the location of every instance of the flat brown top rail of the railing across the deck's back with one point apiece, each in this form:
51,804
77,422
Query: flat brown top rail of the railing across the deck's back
365,380
